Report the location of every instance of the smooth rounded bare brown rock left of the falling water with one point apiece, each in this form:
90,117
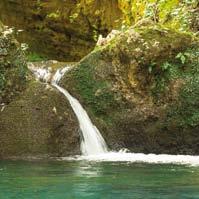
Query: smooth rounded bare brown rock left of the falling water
39,123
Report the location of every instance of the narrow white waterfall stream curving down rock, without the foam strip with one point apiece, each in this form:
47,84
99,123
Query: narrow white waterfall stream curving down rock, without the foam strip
92,142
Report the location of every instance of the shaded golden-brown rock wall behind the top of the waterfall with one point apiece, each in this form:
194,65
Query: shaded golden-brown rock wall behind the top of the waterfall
64,30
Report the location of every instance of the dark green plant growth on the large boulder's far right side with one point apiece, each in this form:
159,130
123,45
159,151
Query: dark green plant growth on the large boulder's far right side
185,111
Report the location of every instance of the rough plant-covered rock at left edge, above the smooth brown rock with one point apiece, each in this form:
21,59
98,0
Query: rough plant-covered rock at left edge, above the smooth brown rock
13,69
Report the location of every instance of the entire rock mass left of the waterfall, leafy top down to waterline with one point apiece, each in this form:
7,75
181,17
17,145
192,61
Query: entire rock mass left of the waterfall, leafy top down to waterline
35,119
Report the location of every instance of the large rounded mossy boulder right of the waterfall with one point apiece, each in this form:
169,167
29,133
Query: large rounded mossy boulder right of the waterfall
141,90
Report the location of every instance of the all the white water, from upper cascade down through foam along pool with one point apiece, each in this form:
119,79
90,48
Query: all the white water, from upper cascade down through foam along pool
93,146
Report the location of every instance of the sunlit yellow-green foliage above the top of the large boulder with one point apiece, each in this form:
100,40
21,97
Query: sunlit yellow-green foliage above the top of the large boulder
171,13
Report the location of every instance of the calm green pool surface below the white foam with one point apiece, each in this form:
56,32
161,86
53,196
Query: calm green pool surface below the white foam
96,180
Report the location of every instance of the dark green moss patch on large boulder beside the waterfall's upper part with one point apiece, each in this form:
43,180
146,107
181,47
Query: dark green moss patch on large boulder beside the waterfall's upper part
96,93
